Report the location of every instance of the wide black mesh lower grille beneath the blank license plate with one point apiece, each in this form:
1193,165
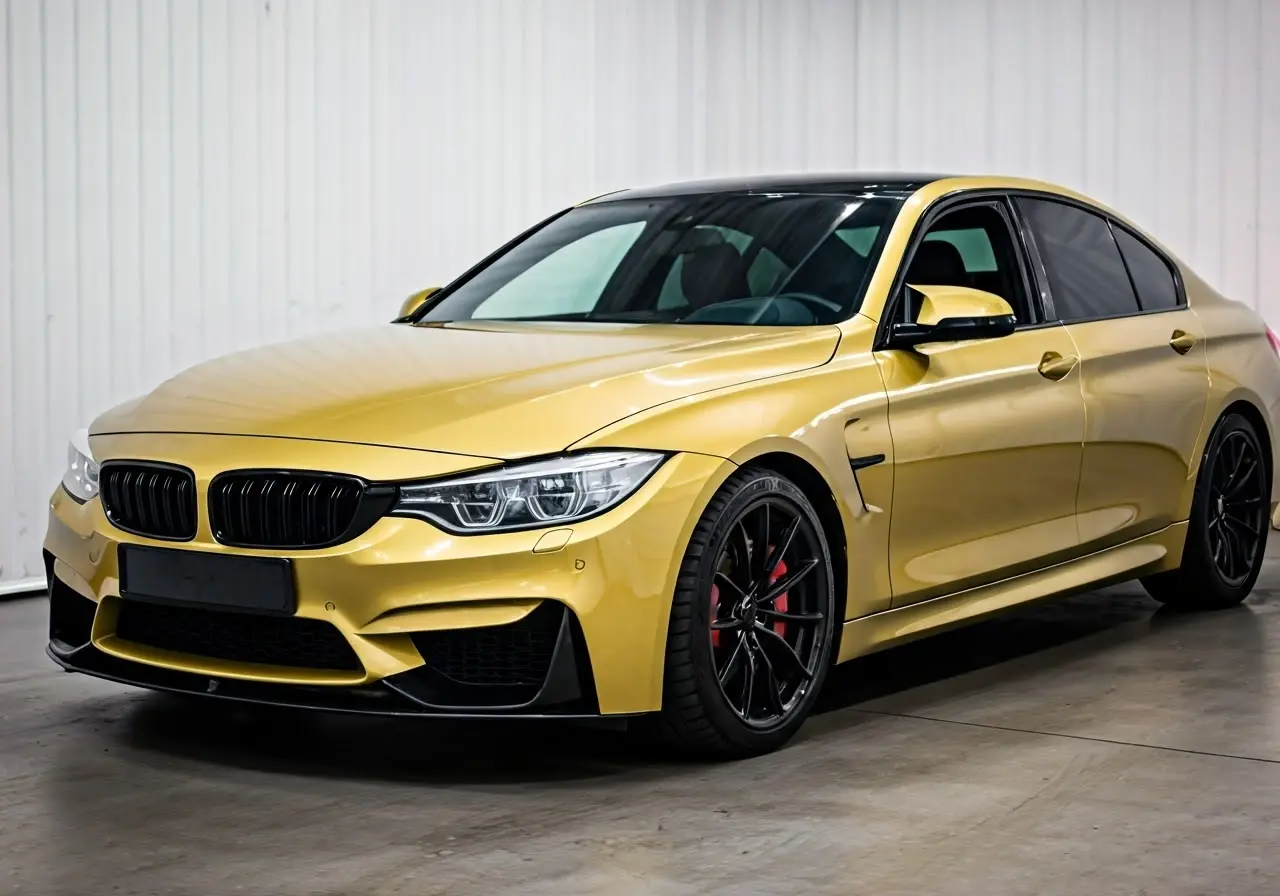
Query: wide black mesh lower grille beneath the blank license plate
241,638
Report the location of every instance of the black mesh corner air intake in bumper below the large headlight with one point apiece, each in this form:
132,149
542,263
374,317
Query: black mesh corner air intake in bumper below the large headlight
513,655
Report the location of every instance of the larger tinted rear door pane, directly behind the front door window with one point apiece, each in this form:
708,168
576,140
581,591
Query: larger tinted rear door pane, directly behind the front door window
1082,260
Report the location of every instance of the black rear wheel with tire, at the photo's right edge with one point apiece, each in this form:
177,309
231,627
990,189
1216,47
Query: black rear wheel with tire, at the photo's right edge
1226,541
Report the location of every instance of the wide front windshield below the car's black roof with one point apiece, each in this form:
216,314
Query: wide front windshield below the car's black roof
788,260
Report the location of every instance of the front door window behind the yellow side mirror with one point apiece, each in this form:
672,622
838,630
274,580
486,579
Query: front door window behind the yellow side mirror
972,246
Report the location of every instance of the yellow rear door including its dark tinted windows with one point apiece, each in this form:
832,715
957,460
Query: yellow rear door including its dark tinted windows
1144,368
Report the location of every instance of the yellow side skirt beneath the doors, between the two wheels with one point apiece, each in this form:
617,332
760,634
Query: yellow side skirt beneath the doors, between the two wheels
1145,556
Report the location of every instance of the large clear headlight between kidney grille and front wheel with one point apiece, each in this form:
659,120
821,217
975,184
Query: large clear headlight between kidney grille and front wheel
531,496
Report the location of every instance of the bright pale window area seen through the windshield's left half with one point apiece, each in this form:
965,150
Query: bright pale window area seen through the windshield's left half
570,280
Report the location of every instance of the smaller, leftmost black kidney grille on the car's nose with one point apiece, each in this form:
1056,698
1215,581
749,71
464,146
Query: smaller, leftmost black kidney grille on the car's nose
153,500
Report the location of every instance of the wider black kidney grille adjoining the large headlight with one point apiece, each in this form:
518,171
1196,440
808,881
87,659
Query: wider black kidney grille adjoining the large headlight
287,510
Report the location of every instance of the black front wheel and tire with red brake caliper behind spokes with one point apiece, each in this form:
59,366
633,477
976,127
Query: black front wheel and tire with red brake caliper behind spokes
698,716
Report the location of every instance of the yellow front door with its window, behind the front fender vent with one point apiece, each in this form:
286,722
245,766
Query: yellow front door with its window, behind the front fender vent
988,433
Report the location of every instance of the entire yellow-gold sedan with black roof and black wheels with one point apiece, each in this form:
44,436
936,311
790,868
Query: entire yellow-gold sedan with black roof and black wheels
673,454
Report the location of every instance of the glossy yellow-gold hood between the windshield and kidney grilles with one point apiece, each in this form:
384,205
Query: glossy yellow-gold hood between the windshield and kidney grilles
499,391
